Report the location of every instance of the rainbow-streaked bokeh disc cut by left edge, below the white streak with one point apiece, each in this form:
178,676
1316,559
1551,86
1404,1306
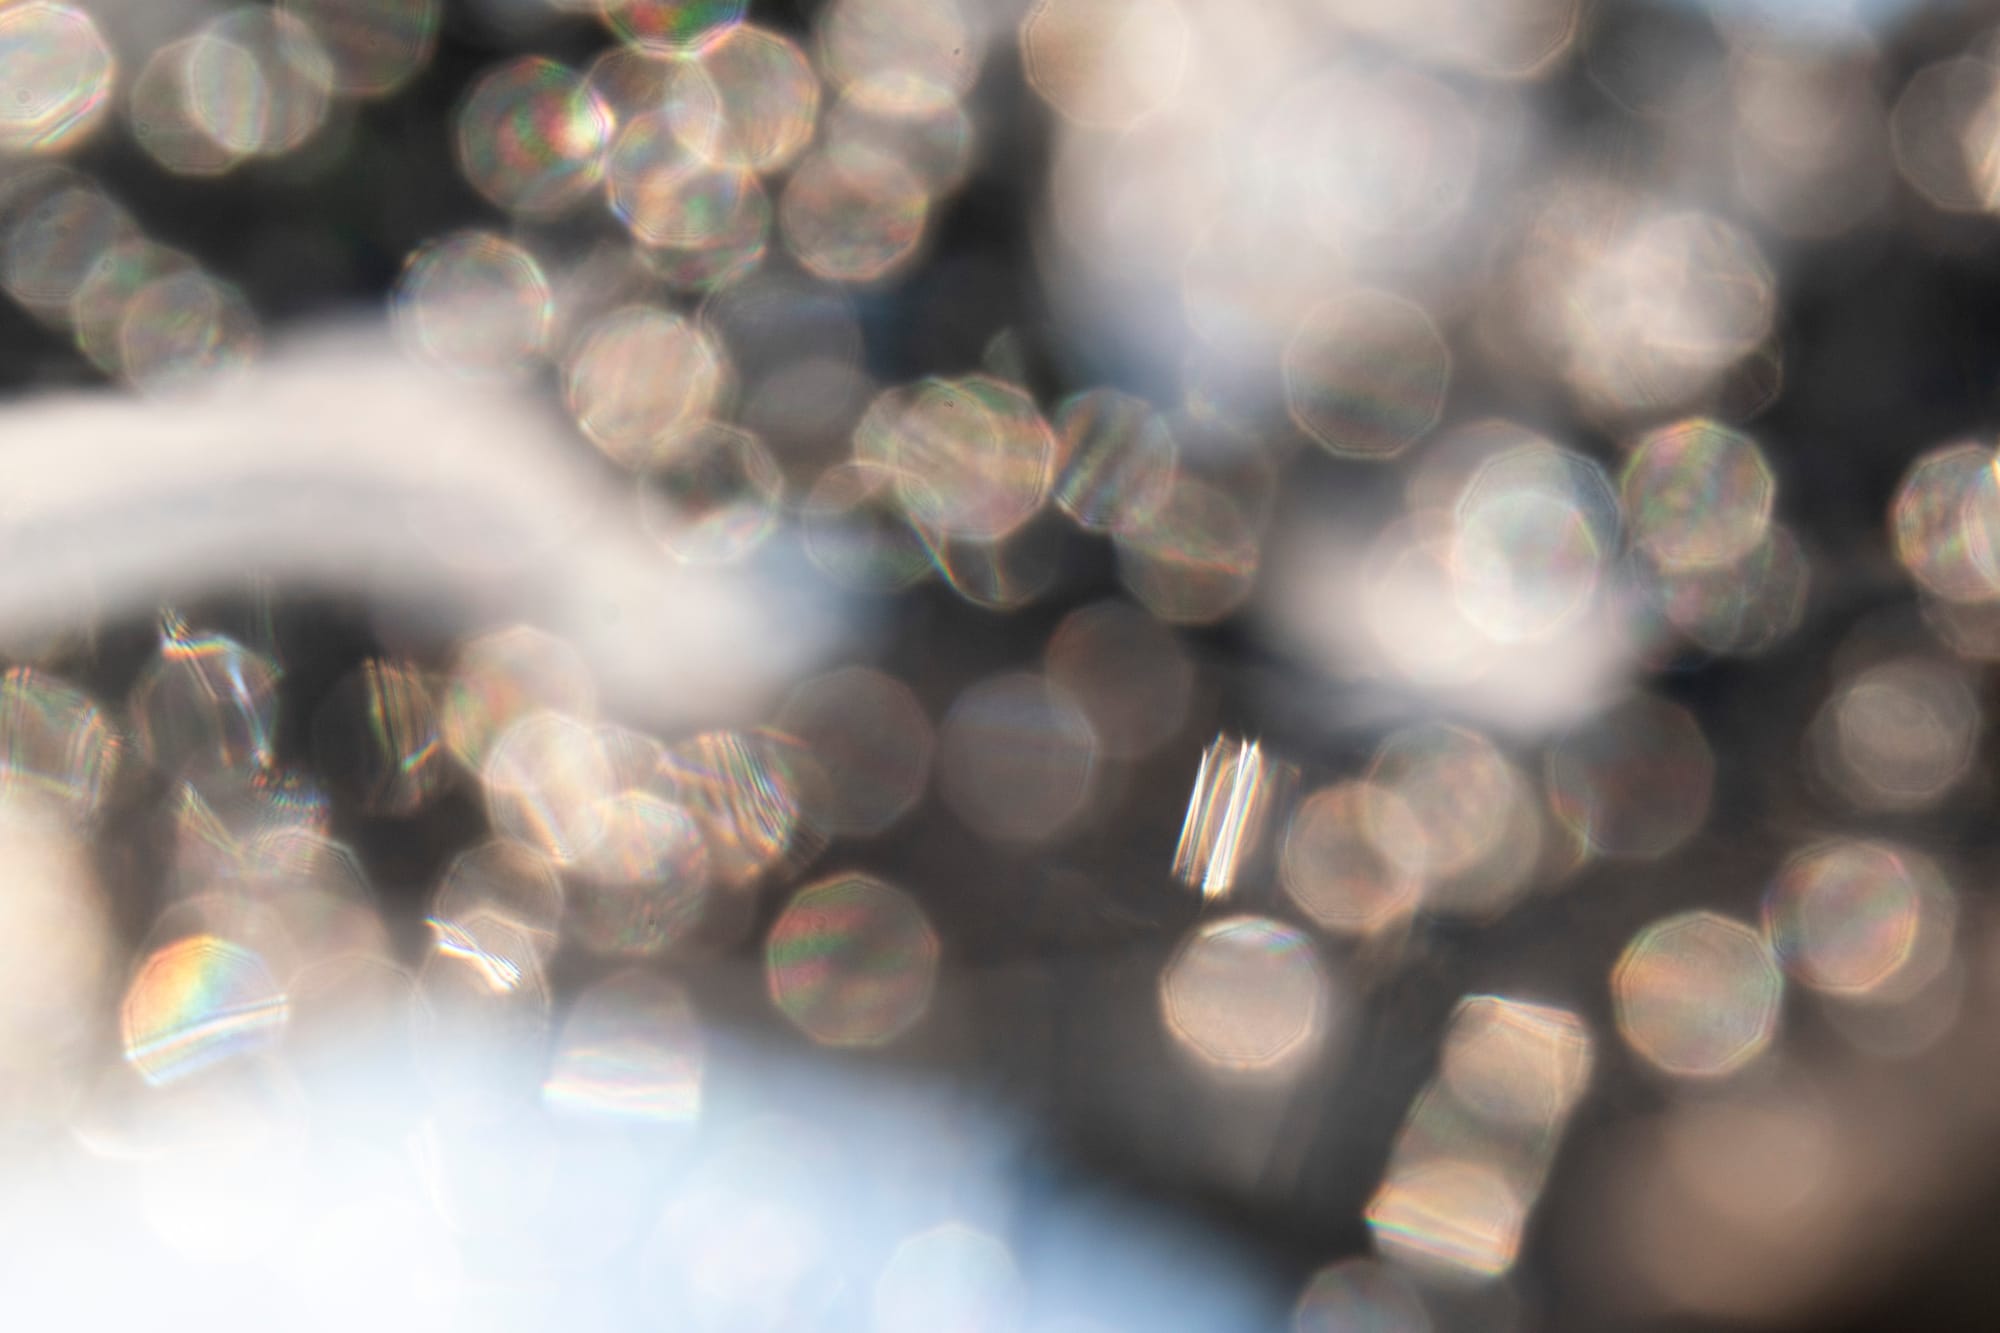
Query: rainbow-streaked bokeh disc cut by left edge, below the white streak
55,746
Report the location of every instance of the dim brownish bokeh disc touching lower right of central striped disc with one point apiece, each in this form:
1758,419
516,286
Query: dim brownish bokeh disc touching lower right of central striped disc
1193,559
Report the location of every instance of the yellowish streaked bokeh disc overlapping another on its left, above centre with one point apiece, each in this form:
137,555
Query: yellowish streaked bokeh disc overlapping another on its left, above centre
971,457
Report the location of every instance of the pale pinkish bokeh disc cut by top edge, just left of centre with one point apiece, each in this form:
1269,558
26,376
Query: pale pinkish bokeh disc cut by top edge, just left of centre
901,55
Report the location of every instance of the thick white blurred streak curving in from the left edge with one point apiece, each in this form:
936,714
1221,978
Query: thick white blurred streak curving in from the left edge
341,465
